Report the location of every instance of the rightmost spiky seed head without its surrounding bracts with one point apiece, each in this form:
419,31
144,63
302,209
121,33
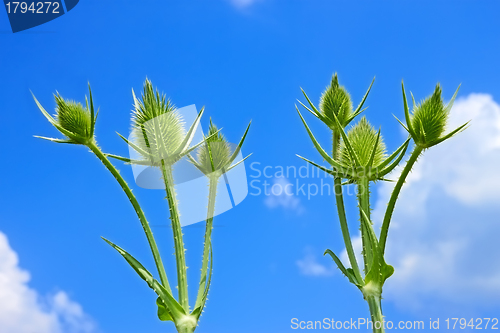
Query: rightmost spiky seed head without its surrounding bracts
429,119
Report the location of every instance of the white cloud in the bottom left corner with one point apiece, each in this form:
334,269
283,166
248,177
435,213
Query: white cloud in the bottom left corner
23,310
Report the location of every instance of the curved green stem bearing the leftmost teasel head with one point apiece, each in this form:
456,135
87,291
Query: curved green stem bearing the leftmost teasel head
145,225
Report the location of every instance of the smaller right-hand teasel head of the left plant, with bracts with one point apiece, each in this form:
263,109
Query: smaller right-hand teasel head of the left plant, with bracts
215,155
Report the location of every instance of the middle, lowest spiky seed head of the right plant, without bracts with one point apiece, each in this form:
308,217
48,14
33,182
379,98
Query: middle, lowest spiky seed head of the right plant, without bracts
362,137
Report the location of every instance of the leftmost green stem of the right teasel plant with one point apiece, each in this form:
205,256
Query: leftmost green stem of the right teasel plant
337,185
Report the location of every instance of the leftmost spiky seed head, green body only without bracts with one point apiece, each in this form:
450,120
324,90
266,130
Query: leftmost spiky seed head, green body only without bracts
73,117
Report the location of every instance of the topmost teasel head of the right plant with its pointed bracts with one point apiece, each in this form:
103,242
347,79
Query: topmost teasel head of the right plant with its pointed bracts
335,103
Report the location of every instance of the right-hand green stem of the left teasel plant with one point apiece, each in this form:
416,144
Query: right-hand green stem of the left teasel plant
212,192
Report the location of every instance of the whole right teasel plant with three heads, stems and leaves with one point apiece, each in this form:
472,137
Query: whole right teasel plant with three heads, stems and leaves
359,157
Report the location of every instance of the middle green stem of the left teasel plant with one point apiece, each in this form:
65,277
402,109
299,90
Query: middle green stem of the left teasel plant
177,230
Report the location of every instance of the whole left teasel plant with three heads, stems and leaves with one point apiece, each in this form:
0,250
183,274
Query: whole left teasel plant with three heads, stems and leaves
160,140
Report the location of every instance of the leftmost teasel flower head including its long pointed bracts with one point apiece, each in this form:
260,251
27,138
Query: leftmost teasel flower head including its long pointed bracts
72,119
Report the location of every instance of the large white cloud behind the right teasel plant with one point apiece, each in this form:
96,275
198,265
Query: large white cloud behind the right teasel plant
443,235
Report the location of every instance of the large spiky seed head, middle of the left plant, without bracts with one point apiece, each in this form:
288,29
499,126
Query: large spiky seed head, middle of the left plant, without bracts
157,126
